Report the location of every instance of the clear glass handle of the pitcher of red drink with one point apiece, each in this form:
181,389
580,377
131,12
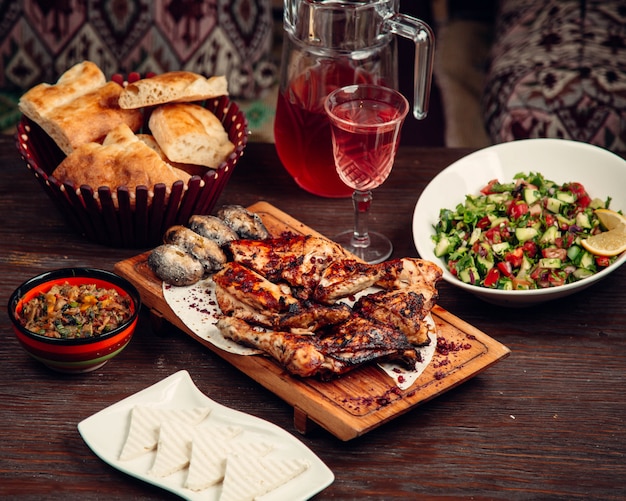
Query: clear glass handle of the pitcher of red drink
424,39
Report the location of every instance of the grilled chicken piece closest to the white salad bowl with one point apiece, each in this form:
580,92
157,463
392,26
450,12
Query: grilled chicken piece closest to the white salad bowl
408,272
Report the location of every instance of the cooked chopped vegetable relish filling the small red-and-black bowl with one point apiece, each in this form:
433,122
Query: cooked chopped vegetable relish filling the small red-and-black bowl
76,311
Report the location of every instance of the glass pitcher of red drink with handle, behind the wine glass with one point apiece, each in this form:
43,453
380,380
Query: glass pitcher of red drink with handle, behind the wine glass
329,44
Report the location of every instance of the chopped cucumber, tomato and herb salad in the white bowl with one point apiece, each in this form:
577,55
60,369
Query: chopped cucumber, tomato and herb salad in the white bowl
521,235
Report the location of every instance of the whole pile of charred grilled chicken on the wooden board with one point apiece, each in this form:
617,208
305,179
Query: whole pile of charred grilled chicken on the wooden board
287,297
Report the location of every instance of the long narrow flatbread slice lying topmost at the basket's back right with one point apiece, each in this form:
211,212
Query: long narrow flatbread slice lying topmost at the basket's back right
172,87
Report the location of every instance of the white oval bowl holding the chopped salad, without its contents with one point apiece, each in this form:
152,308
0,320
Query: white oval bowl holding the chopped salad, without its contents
601,172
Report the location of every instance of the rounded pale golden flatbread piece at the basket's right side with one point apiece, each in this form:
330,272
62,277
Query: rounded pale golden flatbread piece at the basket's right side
189,133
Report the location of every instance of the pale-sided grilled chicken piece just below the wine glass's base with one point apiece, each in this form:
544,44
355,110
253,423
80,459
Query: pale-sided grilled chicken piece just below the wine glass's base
345,278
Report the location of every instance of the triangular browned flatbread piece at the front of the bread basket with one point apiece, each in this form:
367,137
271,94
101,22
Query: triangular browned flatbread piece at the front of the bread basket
121,160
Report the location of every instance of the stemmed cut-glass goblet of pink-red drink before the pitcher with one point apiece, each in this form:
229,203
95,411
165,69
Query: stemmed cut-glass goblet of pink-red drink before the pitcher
365,123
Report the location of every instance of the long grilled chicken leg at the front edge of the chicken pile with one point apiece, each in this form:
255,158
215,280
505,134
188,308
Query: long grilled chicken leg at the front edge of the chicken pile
341,350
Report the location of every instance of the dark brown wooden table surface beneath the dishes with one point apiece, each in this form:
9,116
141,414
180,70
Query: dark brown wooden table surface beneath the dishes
549,422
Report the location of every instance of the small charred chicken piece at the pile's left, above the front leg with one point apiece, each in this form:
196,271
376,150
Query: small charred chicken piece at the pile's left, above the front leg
253,290
